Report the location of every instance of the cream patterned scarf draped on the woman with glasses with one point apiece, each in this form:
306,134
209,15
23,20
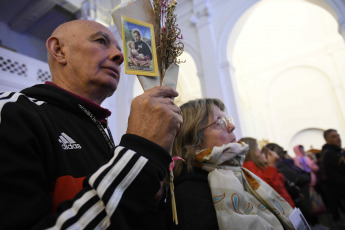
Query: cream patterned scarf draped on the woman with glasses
241,199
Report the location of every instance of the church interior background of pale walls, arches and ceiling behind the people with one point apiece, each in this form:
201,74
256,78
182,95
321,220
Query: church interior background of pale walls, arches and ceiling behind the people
278,65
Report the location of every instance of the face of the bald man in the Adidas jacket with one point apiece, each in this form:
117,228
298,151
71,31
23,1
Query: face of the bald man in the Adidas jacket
93,57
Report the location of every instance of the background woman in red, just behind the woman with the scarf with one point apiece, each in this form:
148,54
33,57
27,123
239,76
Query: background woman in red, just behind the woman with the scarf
263,164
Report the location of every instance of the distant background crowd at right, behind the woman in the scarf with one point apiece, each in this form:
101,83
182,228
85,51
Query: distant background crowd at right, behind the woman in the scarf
312,181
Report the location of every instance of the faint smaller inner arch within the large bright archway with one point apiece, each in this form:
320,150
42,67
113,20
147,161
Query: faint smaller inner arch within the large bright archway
300,102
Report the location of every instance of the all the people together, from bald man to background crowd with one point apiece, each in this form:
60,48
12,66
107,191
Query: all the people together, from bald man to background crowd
60,167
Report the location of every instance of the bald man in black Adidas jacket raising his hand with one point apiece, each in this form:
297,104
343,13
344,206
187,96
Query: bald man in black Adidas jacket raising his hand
54,147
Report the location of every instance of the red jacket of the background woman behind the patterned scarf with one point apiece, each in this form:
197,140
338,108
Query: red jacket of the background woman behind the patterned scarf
271,176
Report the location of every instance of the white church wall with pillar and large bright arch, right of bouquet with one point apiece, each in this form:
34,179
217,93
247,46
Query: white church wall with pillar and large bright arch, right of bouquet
303,72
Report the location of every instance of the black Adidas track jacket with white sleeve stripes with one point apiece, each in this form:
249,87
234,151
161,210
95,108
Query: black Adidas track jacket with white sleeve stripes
51,151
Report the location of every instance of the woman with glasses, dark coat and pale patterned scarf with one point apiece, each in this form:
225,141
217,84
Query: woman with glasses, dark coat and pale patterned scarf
211,189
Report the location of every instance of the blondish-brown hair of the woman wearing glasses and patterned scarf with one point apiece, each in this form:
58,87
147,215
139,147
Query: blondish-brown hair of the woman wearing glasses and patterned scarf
196,114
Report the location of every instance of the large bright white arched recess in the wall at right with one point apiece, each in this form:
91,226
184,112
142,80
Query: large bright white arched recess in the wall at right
287,75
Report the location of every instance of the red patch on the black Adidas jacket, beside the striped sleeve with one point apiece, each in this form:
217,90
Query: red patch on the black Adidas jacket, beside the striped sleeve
66,187
